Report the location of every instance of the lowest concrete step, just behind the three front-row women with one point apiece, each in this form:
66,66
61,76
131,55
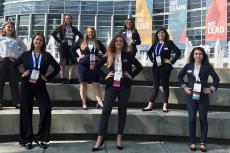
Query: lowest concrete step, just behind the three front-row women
78,121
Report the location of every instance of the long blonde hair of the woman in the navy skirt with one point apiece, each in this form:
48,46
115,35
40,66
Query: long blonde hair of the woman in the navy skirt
84,43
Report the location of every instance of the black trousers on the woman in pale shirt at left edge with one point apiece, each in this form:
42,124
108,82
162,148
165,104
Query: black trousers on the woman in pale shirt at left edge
9,73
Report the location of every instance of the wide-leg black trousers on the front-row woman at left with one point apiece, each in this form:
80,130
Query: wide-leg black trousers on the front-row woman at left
28,92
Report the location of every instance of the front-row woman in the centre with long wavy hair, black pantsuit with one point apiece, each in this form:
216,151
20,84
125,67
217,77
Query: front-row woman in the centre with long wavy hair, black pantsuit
118,84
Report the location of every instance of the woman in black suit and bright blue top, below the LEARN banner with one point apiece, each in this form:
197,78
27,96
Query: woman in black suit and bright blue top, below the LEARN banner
160,55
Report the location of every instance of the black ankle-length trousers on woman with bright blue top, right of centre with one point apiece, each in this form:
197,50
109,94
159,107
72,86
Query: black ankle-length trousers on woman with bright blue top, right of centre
161,73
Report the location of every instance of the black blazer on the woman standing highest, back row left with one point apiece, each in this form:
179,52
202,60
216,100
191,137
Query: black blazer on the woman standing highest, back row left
61,30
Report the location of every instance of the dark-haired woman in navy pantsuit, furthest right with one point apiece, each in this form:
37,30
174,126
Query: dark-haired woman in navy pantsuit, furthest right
197,89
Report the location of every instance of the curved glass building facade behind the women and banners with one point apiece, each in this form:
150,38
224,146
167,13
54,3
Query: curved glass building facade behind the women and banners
107,16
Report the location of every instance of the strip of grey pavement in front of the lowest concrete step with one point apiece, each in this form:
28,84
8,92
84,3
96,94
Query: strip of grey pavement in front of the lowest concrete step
110,147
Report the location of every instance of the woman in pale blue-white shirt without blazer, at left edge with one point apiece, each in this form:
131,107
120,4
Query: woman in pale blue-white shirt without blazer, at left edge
10,46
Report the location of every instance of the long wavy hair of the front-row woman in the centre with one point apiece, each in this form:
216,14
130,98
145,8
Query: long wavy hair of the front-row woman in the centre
112,49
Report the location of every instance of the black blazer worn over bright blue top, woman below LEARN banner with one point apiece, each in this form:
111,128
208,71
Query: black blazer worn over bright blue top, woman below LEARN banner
165,53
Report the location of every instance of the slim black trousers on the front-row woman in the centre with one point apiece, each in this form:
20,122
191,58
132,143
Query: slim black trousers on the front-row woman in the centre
111,94
